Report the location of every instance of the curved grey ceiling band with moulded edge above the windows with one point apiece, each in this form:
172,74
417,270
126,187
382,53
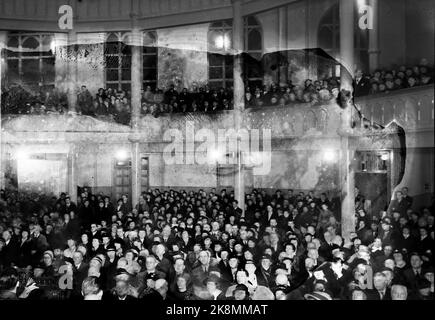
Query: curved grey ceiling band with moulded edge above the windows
109,15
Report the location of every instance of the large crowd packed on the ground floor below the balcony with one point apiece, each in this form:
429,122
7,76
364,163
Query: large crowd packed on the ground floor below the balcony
185,245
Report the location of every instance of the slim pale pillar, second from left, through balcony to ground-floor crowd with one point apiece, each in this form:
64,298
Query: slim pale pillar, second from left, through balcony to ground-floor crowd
136,89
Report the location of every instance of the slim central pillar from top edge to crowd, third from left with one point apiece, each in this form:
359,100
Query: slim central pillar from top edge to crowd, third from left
239,98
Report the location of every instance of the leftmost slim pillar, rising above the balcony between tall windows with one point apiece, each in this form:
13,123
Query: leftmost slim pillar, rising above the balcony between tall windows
72,87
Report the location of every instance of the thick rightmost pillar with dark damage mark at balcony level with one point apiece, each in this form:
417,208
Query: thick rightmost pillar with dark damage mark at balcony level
347,182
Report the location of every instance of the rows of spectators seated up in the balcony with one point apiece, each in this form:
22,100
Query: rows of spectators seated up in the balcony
116,104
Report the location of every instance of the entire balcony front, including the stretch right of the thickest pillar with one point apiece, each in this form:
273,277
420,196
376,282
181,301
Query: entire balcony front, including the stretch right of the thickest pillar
412,109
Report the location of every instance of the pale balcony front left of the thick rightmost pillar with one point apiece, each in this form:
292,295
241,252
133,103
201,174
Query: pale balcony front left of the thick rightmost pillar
284,122
